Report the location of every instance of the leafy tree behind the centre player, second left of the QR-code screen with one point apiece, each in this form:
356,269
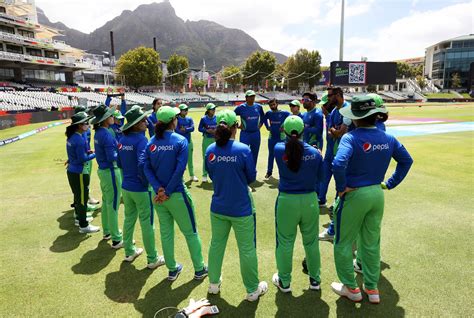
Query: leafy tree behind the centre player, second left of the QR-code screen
257,67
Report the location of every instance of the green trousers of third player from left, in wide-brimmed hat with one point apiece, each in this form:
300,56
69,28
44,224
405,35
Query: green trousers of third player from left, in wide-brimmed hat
138,205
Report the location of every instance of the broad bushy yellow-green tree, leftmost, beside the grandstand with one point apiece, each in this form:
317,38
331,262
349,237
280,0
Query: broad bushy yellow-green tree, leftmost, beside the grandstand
141,67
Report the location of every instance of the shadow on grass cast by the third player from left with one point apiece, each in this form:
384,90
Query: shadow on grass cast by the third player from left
125,285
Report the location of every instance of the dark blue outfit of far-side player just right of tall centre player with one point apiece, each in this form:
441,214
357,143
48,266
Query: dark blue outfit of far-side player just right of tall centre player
273,121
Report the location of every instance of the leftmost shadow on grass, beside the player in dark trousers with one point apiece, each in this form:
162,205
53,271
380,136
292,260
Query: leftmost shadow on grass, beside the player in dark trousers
72,238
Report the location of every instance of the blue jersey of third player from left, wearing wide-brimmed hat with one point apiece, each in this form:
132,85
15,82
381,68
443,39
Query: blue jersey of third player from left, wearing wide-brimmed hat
131,153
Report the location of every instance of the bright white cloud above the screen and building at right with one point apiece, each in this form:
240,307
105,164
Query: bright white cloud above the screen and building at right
409,36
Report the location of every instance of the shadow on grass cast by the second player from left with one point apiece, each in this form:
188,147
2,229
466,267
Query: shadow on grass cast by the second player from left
95,260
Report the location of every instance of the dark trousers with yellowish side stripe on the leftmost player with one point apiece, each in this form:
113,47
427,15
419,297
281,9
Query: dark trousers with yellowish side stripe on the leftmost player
79,184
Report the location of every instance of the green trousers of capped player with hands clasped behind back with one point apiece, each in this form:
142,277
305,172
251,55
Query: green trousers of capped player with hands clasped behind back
180,208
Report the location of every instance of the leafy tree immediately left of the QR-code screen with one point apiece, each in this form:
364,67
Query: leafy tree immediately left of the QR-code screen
307,62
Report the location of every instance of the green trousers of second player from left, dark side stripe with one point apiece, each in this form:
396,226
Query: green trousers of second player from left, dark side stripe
111,187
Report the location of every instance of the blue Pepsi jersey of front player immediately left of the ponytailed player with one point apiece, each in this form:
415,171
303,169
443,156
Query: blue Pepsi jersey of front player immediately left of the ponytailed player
231,169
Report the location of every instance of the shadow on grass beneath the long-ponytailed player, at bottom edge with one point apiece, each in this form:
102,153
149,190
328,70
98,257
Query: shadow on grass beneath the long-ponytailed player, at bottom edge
309,304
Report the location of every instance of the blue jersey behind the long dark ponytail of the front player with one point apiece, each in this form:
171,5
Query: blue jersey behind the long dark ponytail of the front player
308,176
